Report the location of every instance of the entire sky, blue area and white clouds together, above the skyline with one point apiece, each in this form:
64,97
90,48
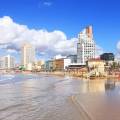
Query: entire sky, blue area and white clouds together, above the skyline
53,25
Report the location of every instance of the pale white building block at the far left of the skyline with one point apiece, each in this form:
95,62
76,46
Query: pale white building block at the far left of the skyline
7,62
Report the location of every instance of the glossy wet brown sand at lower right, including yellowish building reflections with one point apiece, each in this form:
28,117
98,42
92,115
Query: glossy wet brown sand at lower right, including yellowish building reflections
101,101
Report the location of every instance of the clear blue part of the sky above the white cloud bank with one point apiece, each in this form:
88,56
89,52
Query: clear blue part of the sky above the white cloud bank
69,16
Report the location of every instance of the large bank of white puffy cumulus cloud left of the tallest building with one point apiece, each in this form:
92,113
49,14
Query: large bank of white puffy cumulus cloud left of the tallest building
13,35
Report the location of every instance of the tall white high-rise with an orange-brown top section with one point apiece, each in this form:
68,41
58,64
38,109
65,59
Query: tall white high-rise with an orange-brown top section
85,45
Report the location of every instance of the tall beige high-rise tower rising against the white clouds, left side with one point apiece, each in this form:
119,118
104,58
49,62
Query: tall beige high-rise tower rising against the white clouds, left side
27,55
